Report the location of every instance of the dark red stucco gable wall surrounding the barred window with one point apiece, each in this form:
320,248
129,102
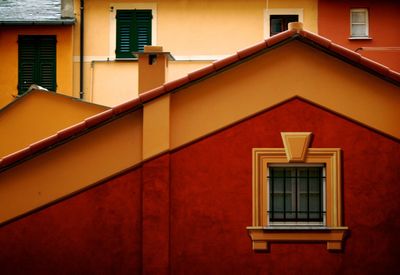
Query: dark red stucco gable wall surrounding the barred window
211,199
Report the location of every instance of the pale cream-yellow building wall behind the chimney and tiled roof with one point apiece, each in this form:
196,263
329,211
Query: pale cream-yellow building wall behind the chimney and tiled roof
195,32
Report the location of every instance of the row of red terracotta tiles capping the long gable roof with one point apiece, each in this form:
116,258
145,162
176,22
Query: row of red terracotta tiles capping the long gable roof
203,72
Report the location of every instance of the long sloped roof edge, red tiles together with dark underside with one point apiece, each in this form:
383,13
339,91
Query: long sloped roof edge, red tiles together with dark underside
320,42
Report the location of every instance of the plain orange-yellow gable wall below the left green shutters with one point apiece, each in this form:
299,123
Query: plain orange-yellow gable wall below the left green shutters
38,115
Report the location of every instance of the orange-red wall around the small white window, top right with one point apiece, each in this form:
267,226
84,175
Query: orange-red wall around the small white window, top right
334,23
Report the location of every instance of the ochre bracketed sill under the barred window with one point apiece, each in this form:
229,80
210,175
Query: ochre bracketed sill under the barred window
262,236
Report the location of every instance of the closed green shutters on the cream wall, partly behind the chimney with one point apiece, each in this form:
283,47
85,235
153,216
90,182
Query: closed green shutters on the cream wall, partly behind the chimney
133,31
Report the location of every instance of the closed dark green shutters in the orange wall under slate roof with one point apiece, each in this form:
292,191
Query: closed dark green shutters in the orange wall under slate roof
36,62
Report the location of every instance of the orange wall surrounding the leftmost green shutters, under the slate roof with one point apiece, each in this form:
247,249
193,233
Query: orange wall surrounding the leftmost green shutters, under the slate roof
9,50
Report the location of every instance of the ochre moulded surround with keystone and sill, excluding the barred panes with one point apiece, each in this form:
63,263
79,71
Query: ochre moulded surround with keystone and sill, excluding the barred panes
296,151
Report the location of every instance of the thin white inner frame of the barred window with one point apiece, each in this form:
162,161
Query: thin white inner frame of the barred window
294,224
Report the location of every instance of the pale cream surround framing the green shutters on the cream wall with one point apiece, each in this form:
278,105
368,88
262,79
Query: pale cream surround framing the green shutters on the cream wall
113,22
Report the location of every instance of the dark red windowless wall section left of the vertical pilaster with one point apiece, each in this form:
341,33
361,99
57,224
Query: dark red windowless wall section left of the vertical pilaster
95,232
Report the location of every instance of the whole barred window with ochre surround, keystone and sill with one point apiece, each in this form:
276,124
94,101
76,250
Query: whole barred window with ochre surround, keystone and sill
296,194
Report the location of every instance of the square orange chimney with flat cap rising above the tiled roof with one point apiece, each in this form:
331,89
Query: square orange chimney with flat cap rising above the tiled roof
153,65
